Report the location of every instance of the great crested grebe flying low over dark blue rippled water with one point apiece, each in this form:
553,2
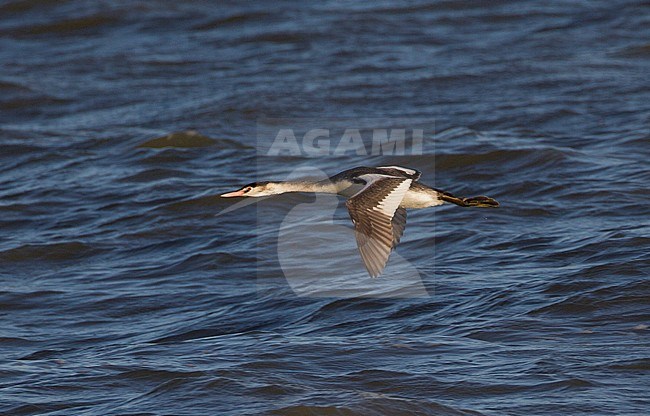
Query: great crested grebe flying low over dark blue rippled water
377,202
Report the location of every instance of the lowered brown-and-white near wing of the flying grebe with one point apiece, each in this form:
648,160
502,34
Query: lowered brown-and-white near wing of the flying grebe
378,221
